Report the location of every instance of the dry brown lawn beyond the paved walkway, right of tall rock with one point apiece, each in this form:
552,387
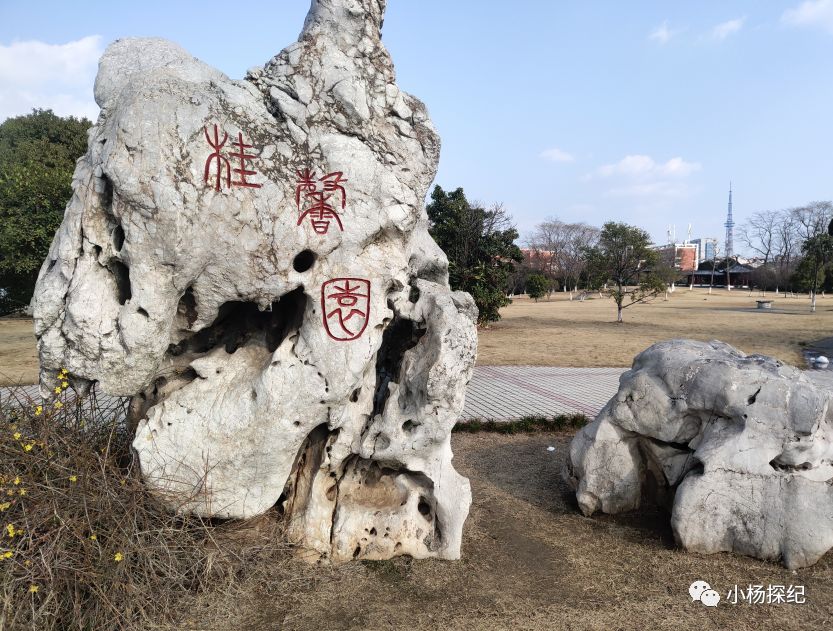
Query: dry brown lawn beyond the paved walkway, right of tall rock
558,332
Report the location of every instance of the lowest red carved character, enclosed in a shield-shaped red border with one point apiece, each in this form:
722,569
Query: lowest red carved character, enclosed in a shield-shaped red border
345,306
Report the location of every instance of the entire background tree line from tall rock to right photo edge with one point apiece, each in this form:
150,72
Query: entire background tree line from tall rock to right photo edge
617,259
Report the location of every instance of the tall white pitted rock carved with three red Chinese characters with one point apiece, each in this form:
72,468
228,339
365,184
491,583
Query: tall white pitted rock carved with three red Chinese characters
250,262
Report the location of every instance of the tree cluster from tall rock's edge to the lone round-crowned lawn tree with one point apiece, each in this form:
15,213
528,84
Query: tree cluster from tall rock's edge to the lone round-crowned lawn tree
483,259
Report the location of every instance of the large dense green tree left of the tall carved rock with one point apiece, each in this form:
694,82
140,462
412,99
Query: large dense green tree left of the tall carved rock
37,158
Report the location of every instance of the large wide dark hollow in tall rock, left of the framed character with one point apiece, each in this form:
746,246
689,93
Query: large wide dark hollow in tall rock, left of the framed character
240,323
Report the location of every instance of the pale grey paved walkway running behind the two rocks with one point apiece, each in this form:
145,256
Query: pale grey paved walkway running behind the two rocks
510,392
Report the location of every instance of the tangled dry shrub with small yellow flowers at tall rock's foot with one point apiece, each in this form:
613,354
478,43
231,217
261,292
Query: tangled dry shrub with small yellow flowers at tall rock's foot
85,546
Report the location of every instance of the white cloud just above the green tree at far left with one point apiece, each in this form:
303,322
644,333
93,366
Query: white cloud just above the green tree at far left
35,74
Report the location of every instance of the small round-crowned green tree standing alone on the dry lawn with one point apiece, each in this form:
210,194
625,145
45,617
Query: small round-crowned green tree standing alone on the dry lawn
623,258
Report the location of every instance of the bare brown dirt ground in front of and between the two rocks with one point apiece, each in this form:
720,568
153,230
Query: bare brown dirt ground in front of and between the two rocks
532,561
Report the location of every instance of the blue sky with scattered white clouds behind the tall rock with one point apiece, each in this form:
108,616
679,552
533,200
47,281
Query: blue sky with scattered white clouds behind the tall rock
594,110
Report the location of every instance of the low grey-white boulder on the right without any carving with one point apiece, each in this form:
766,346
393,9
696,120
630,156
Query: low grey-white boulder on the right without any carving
740,447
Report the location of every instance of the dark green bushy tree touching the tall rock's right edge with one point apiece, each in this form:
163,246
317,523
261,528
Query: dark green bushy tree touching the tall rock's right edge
479,244
